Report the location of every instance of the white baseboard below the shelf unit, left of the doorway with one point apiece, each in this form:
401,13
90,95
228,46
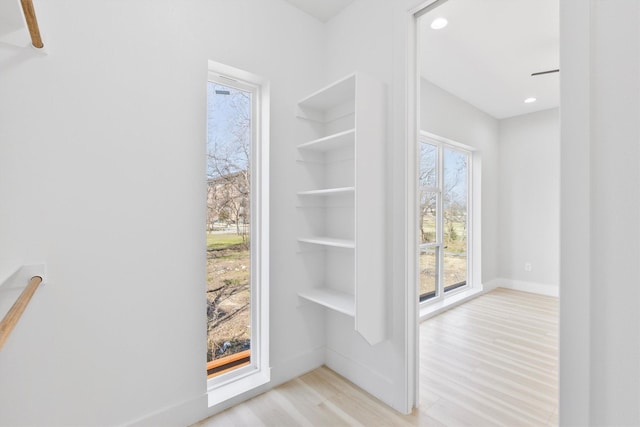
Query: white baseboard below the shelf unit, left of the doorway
367,379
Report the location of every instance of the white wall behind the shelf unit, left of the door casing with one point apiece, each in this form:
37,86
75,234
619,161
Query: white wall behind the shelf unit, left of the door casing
379,369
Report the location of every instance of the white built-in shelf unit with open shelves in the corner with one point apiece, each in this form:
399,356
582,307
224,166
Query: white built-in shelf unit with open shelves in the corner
342,201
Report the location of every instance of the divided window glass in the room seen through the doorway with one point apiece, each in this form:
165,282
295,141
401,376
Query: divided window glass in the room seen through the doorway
443,185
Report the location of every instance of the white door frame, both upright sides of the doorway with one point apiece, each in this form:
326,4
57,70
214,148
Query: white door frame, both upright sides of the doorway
575,280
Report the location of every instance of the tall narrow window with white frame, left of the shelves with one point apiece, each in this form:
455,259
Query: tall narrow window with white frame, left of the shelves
236,227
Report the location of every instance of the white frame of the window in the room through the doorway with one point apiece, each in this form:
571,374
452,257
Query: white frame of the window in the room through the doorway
444,143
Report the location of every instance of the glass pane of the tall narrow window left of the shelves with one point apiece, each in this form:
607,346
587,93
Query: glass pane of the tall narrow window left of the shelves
228,226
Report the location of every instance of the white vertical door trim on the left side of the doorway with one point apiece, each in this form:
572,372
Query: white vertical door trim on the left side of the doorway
403,164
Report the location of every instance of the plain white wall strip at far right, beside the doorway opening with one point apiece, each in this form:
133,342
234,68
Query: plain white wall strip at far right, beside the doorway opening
600,207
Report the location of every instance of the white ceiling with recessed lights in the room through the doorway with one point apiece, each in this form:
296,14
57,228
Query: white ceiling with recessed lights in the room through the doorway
487,52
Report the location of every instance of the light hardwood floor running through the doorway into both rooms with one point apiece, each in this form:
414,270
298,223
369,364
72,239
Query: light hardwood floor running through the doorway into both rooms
490,362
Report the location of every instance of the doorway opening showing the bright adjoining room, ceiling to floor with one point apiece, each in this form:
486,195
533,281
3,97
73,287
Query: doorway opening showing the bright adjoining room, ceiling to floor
486,80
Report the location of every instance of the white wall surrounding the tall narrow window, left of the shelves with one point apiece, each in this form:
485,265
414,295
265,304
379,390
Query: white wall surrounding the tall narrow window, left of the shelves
102,177
